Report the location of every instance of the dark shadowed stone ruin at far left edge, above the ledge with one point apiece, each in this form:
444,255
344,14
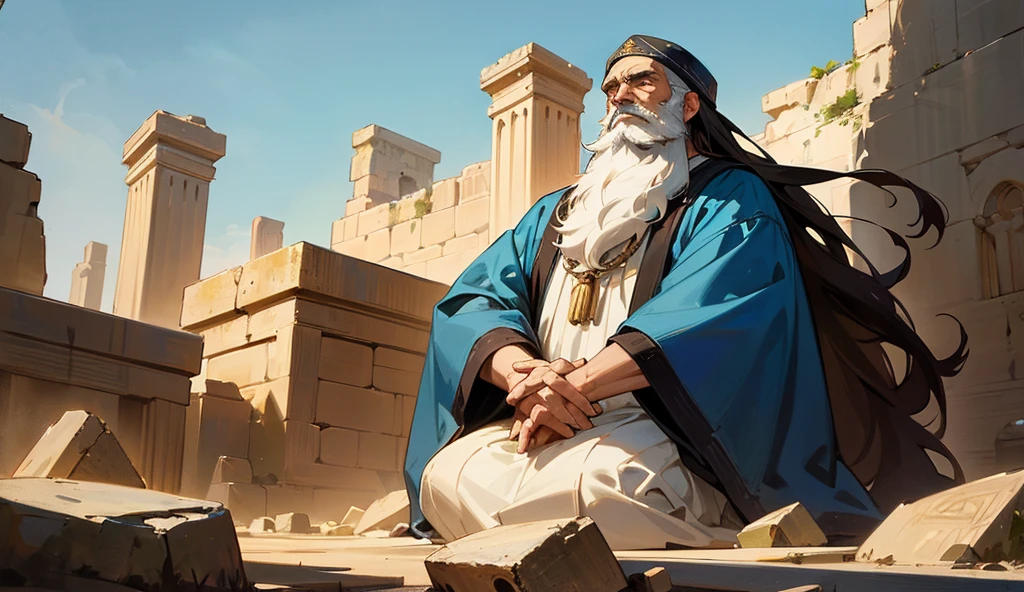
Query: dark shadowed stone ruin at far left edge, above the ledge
23,249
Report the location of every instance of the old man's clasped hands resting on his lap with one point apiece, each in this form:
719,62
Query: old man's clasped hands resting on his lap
549,402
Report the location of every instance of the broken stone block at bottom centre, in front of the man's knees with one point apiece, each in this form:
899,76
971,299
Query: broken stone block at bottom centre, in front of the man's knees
530,558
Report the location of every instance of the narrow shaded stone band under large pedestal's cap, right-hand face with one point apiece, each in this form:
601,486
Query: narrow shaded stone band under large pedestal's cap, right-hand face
362,327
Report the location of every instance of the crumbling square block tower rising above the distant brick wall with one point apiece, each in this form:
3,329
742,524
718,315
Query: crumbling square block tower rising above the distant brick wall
389,166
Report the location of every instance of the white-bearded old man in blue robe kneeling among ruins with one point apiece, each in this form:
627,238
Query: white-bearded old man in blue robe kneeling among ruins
675,346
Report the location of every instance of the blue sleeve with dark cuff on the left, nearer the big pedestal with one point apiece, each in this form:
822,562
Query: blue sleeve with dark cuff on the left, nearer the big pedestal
488,308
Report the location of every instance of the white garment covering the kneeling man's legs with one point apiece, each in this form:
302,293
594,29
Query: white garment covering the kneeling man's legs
624,474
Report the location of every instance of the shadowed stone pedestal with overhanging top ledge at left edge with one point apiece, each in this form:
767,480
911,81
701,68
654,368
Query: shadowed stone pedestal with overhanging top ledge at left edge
136,377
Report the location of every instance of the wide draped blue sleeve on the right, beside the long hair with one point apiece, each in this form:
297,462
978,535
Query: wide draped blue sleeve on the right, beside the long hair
729,347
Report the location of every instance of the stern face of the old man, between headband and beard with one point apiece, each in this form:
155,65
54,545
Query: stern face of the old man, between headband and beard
639,81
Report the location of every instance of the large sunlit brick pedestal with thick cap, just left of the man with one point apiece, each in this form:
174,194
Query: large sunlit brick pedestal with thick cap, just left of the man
327,351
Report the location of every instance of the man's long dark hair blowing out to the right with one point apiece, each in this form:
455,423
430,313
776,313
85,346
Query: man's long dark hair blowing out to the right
855,315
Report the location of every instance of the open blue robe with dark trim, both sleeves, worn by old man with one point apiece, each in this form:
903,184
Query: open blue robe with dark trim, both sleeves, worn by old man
726,340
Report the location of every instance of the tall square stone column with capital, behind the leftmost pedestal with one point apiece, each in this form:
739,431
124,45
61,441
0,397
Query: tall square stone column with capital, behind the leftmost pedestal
170,166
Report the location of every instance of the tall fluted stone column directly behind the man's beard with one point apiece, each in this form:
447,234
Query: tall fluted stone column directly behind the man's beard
537,99
